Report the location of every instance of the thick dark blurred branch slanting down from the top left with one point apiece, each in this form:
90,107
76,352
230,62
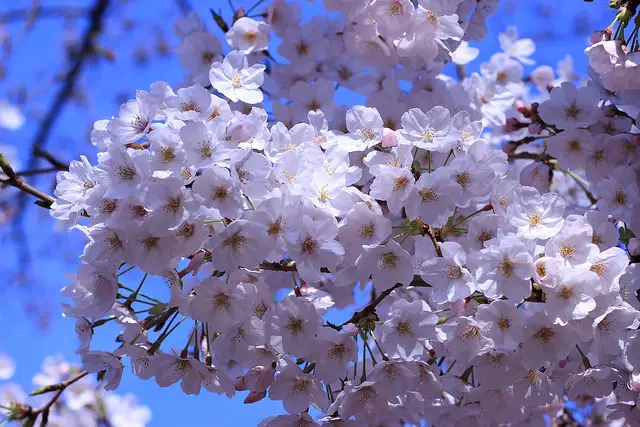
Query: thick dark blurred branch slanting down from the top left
98,12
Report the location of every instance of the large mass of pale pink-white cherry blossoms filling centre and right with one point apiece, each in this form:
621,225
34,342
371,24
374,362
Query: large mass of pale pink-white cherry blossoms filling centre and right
493,299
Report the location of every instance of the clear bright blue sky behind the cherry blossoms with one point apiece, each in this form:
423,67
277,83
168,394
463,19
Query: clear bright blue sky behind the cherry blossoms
557,27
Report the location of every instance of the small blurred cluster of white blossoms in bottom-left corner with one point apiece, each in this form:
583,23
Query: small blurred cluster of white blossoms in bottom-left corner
83,403
